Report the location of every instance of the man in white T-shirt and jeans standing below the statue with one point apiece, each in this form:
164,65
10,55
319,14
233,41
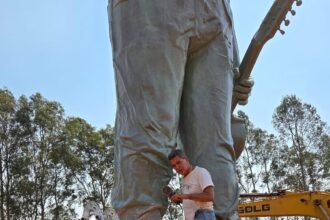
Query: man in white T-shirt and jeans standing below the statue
197,189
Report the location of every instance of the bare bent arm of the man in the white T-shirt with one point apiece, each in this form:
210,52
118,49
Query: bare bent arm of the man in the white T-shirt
206,196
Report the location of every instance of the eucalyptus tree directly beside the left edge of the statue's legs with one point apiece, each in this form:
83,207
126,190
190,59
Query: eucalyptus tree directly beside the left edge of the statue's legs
91,159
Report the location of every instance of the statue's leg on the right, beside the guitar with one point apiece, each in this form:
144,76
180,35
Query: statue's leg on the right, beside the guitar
206,110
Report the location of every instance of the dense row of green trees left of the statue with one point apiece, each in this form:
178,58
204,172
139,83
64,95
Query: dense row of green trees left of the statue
49,163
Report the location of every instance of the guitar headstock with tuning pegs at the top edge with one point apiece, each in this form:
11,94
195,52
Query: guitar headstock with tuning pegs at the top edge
272,22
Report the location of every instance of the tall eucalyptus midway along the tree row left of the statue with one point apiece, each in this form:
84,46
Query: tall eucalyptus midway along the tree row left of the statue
47,122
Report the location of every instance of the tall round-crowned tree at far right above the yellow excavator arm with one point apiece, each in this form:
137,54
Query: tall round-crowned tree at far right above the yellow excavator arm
303,134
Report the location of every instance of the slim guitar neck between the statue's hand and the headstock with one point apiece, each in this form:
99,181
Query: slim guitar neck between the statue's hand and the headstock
246,66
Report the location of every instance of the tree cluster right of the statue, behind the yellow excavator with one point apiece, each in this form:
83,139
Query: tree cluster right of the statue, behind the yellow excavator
297,159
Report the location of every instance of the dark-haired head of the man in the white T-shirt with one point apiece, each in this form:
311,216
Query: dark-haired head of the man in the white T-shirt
179,161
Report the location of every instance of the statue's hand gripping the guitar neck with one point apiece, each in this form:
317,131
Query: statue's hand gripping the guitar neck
242,90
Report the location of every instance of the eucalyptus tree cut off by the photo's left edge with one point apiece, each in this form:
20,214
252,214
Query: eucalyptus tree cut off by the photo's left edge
15,133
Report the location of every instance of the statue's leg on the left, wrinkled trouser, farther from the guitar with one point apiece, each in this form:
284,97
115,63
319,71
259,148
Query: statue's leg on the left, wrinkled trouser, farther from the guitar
149,68
